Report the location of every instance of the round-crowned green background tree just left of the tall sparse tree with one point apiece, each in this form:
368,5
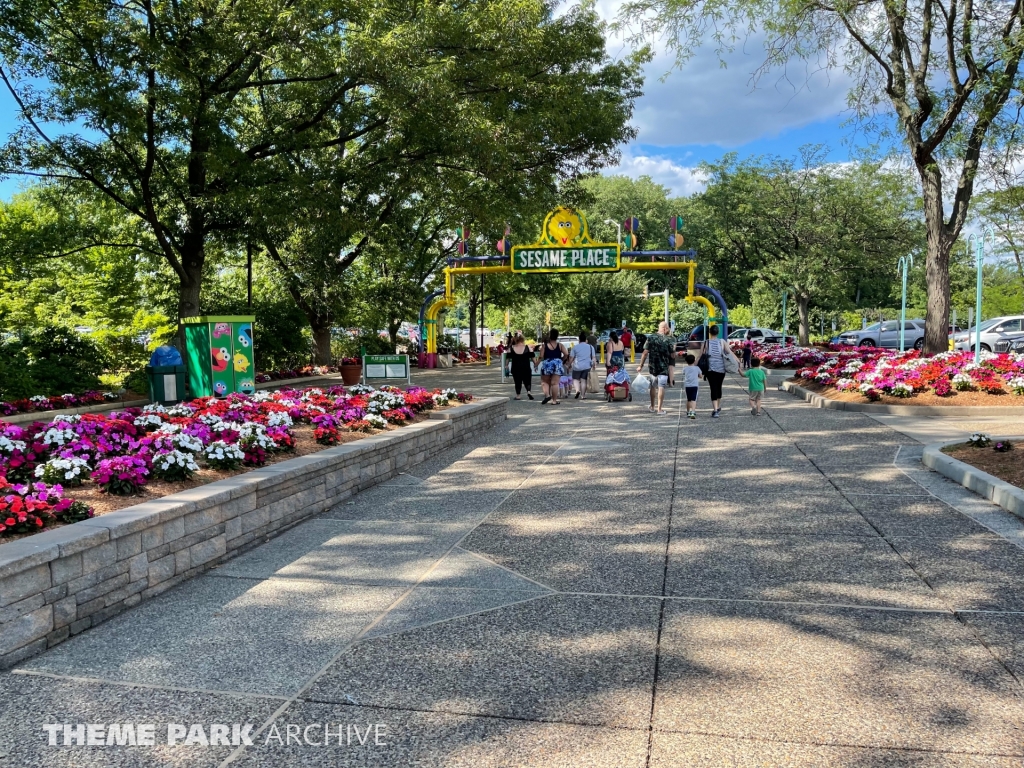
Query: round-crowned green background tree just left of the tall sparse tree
812,229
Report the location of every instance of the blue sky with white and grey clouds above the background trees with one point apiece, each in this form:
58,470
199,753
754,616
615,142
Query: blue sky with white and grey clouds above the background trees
702,112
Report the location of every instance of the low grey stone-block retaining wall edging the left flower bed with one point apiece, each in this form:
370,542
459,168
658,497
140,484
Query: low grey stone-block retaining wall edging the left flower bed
59,583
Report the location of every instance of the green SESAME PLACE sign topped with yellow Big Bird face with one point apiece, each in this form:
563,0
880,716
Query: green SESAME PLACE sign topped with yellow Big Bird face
566,247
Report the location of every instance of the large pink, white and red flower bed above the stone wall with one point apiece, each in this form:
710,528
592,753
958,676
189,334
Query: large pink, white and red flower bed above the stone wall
83,464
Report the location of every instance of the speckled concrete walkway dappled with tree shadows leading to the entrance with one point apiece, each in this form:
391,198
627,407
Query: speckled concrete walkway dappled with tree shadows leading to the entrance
591,585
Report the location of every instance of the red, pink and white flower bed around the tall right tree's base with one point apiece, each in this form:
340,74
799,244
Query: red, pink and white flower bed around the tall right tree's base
891,377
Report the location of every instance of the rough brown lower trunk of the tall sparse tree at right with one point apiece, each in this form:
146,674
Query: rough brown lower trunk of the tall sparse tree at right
937,263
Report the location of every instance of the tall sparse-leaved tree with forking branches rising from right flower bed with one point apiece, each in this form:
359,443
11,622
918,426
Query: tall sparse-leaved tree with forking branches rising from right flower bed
942,73
